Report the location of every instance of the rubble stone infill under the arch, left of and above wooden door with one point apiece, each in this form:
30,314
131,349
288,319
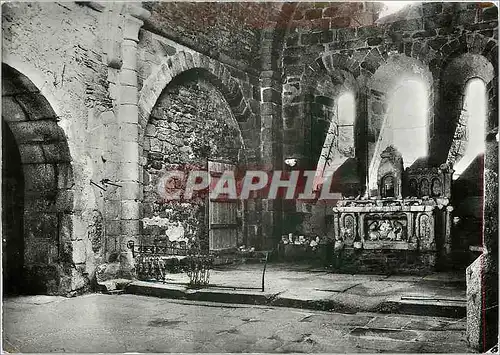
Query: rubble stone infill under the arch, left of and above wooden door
190,123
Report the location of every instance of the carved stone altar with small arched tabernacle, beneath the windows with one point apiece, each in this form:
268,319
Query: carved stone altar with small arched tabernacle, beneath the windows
407,223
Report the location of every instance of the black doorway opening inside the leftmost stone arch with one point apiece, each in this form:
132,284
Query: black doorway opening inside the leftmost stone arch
12,213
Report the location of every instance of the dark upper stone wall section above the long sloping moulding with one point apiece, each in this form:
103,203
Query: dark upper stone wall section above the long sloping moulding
228,32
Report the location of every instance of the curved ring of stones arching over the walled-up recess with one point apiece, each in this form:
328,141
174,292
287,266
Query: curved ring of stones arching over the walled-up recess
184,61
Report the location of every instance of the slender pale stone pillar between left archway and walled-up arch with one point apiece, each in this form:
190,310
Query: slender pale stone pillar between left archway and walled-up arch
128,118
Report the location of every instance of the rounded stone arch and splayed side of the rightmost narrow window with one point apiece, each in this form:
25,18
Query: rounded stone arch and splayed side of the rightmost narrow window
459,71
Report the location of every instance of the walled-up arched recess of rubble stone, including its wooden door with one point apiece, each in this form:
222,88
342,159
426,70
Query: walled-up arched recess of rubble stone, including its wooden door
191,128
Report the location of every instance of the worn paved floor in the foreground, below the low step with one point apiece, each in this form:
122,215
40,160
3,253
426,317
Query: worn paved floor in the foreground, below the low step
130,323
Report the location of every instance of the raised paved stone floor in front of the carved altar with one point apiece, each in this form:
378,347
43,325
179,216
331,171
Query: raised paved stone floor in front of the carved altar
287,284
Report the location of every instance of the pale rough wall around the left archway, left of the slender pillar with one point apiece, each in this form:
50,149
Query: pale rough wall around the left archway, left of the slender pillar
62,66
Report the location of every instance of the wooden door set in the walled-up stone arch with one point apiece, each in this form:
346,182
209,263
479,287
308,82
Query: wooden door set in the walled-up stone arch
222,212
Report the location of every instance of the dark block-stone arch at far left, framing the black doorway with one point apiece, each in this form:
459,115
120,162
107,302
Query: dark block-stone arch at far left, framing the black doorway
47,172
